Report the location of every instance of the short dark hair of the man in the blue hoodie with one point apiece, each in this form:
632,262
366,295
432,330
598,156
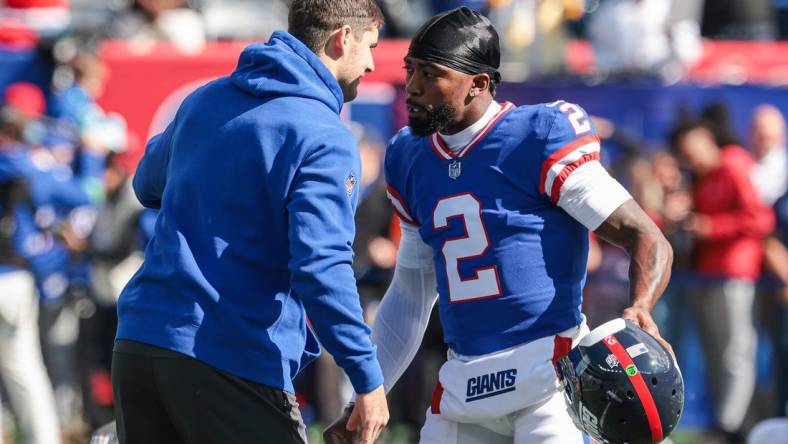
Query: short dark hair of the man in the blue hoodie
313,21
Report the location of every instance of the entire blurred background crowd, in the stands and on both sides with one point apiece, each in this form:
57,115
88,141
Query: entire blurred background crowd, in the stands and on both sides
72,232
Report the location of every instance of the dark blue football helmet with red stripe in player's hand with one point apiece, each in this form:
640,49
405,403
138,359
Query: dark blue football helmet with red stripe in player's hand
622,386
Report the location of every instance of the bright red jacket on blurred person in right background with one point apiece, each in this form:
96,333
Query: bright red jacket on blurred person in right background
739,220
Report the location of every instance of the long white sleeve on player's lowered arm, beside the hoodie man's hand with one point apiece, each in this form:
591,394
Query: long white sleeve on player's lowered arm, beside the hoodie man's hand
405,309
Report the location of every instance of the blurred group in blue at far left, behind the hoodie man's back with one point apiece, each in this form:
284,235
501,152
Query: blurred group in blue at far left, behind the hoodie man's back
71,232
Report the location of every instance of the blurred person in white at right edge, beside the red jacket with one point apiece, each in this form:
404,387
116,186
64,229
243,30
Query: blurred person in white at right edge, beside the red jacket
770,174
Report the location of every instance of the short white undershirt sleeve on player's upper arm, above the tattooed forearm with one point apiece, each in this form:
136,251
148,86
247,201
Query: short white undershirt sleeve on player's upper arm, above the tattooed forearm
590,195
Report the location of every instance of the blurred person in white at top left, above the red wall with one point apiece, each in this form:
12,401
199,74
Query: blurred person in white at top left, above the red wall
148,21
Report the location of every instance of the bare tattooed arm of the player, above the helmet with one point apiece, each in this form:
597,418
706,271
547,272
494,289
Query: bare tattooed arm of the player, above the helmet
650,253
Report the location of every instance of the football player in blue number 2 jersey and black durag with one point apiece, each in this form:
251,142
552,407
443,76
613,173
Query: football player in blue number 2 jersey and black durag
495,203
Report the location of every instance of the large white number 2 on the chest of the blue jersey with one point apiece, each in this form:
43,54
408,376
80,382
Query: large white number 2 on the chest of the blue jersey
475,243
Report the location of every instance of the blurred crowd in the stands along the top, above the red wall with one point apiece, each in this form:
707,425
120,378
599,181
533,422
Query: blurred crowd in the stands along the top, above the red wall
651,38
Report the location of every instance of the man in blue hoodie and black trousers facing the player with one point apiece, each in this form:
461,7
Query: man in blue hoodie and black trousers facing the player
256,183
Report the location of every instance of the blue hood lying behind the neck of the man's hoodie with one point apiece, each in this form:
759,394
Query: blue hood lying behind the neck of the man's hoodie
286,67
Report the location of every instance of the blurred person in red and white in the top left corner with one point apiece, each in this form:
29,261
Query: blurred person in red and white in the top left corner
49,18
